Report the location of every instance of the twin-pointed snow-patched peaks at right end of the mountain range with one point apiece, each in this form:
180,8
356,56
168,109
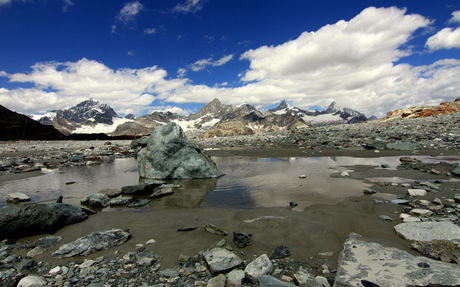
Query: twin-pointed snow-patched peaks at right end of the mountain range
332,115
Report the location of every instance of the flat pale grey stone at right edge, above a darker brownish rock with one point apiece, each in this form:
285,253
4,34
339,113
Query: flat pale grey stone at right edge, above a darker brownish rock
427,231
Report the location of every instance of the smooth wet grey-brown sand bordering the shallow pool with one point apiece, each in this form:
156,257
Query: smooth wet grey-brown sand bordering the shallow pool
306,231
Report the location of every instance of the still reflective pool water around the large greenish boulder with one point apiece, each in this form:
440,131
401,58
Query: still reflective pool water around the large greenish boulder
248,182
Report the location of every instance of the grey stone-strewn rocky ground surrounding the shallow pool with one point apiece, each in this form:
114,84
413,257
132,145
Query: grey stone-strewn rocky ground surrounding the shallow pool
432,200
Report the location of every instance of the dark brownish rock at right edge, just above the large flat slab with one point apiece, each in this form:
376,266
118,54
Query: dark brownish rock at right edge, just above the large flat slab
443,250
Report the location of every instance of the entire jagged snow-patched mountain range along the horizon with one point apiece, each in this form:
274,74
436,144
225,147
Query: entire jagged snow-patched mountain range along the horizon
213,119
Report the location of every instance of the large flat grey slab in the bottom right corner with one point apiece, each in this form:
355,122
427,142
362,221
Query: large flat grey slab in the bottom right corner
370,264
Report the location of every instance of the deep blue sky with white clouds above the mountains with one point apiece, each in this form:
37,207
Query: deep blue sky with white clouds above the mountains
177,55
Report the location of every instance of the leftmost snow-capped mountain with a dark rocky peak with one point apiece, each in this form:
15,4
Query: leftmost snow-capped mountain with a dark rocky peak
89,116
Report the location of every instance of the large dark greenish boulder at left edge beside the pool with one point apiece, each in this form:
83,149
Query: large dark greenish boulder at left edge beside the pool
31,219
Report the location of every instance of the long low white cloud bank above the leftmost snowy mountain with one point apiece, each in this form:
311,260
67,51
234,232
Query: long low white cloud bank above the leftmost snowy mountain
61,85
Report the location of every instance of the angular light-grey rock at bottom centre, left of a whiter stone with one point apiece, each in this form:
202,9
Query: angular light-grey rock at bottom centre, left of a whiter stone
221,260
